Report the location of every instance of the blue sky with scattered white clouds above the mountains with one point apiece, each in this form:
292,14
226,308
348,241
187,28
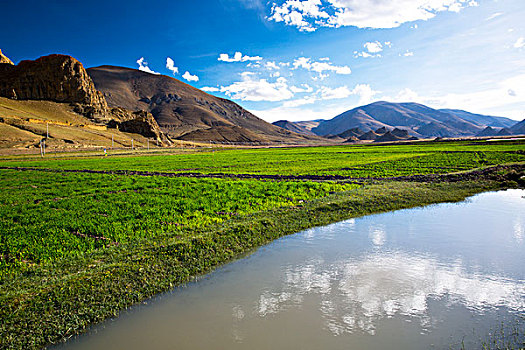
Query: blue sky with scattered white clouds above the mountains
295,59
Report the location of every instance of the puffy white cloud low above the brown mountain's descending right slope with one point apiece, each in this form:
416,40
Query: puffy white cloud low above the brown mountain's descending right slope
251,89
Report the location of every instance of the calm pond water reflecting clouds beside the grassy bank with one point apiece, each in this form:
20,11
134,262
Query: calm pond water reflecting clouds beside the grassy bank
411,279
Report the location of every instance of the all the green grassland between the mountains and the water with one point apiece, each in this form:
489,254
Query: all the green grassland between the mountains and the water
78,247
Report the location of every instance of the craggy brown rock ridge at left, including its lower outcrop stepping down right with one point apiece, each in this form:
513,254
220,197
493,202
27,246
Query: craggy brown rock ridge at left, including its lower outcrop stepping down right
63,79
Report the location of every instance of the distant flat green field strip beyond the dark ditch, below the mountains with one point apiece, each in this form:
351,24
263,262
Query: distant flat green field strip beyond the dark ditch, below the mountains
352,161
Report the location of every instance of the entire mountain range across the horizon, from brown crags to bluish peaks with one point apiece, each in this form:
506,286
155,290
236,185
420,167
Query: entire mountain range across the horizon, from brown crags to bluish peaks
90,107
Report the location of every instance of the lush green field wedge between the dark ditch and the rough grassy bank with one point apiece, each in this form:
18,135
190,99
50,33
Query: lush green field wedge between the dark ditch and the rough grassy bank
47,216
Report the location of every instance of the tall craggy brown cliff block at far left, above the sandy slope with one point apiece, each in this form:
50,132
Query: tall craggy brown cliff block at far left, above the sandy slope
57,78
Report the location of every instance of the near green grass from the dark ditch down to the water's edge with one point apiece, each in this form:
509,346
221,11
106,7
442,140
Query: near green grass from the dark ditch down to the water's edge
77,248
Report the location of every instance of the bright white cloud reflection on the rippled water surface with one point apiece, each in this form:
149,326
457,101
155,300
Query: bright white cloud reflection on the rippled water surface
356,293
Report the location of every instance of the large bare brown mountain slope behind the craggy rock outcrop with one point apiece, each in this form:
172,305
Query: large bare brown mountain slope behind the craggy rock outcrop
183,111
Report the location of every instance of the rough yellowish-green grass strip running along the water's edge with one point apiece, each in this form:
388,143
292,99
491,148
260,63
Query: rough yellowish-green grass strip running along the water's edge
81,292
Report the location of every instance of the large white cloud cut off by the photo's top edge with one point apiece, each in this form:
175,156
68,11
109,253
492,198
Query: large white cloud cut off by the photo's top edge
308,15
